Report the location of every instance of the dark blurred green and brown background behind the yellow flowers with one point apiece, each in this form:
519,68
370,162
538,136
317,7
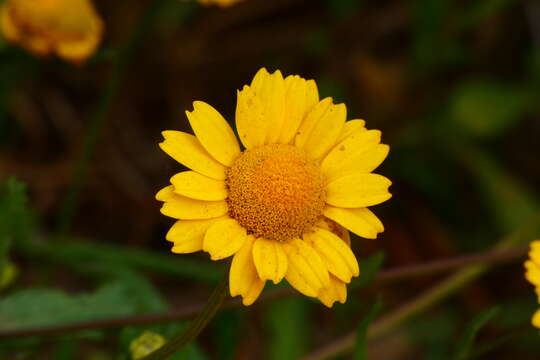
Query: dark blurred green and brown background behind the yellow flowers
453,86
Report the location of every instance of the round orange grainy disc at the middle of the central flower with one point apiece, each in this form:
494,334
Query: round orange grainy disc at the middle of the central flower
275,192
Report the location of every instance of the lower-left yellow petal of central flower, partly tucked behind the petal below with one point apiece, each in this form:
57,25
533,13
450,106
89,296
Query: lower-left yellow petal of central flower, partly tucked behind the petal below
188,235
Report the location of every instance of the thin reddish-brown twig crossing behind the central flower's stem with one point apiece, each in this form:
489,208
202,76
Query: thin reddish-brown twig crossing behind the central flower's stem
385,276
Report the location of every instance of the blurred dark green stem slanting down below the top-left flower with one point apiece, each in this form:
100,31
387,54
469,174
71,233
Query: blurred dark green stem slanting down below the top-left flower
97,121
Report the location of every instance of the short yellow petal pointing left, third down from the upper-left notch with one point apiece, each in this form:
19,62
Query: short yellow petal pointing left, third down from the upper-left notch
196,186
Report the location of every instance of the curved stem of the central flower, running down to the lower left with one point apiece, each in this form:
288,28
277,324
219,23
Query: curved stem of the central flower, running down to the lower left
196,326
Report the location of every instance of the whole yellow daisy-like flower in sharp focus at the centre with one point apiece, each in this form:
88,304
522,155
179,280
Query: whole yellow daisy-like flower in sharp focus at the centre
274,205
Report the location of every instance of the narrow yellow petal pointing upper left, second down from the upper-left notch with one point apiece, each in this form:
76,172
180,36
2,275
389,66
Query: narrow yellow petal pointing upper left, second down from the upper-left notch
188,151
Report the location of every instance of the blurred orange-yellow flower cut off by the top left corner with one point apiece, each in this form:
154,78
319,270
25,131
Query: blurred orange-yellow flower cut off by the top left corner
70,29
